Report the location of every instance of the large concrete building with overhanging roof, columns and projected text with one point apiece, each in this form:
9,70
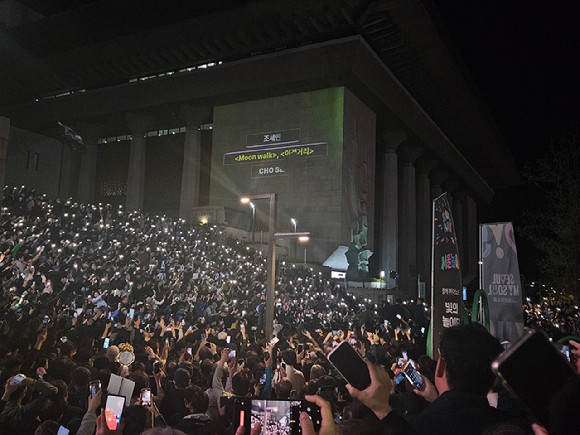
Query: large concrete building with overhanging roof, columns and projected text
356,113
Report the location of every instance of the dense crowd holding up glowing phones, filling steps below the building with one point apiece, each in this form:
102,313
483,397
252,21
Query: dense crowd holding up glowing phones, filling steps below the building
84,286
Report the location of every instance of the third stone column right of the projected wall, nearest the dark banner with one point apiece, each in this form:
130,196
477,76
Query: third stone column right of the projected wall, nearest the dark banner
424,221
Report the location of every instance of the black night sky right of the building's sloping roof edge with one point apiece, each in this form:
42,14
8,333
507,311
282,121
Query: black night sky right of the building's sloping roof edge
524,56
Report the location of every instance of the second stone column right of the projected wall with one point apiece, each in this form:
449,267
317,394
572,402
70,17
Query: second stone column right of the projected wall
408,227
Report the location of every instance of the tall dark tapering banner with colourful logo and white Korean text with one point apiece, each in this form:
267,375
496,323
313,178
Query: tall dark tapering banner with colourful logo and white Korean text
446,288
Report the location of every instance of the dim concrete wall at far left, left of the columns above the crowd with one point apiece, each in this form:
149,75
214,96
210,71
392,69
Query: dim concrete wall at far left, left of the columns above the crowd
34,161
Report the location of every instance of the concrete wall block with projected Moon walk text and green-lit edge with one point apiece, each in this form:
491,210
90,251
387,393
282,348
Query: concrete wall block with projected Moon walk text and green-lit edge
319,131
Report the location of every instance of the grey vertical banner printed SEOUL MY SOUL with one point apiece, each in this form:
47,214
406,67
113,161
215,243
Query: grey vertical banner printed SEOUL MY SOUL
500,279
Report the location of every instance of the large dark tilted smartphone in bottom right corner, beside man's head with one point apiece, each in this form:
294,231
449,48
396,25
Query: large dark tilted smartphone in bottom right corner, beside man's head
536,372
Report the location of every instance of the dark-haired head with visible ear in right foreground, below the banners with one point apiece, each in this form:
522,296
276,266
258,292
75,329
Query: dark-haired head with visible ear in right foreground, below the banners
465,356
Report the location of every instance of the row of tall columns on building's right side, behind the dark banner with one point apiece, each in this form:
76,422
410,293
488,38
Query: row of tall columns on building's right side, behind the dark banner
410,182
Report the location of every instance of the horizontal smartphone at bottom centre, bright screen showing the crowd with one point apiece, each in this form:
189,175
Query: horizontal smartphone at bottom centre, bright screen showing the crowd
279,416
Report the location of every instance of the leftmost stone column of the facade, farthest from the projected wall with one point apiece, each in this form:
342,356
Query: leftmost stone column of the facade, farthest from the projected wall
88,170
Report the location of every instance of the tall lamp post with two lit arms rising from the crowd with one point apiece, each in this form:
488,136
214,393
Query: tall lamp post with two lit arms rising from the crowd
271,263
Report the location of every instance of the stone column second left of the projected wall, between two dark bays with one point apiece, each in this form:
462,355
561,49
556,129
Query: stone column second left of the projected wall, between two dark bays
139,126
